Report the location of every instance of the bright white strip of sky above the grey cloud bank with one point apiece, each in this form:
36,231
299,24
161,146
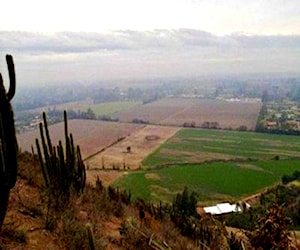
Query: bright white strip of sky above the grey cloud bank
215,16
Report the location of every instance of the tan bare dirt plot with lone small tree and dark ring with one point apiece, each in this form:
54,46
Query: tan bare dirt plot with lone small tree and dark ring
141,143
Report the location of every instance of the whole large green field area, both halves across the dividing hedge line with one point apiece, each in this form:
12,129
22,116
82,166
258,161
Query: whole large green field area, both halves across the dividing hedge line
237,164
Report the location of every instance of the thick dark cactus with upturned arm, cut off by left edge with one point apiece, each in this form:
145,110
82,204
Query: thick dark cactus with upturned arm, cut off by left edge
8,141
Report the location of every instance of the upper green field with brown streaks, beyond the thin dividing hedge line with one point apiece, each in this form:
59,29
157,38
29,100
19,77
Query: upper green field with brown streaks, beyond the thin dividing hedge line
192,145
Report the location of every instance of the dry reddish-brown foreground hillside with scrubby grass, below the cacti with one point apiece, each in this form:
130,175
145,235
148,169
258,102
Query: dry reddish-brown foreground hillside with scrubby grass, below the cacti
116,223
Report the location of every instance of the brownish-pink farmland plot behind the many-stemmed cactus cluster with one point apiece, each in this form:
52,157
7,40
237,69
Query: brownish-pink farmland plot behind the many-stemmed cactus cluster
91,136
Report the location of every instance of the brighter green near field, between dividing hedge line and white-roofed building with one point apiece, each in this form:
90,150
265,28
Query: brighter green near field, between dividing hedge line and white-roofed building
217,181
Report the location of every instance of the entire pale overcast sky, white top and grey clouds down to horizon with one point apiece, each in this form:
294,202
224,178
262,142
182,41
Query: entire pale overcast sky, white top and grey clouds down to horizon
90,40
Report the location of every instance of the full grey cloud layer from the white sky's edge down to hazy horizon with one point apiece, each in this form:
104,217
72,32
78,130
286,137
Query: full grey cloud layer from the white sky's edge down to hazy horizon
184,52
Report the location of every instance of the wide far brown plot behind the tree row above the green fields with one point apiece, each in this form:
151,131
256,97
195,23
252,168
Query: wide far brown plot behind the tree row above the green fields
177,111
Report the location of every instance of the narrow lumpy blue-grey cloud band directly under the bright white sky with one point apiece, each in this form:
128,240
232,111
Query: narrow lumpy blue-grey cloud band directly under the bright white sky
69,42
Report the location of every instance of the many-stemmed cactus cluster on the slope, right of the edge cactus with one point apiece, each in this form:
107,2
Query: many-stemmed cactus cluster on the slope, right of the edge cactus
62,170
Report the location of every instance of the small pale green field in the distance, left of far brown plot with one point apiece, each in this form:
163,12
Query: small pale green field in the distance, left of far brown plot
109,108
